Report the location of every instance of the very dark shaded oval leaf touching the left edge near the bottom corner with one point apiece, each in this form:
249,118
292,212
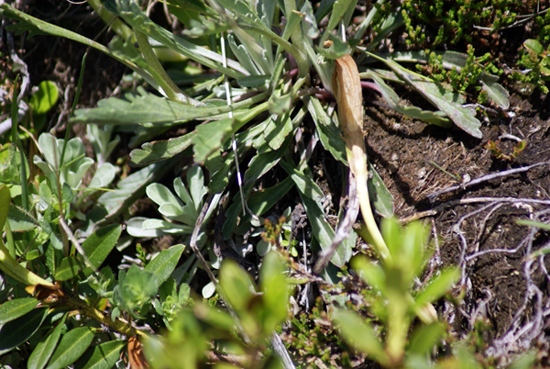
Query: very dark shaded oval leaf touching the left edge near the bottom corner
14,333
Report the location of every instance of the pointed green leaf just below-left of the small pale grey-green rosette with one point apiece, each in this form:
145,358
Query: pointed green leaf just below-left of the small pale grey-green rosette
99,245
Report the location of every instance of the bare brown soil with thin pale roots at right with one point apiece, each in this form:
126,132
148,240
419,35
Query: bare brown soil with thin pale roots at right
475,226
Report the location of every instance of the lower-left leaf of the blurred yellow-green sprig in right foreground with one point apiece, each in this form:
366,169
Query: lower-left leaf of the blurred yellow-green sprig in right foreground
360,335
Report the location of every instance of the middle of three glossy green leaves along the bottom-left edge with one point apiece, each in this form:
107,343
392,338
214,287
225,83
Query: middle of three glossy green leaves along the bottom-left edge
72,346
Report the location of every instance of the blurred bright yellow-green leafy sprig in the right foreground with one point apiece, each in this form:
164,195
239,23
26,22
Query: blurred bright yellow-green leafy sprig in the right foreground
394,301
